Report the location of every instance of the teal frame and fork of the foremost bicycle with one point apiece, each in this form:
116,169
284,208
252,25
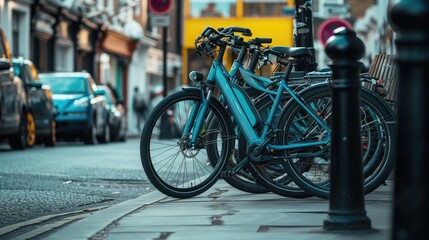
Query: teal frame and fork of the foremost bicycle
237,104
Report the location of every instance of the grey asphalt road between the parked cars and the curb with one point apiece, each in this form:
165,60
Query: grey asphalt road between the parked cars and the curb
69,179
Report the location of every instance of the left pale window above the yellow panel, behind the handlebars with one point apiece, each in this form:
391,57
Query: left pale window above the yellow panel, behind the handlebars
204,8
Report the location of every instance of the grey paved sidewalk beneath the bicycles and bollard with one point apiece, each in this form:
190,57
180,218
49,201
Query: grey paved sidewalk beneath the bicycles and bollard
226,213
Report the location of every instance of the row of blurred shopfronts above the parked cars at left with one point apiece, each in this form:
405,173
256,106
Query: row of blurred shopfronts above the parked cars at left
111,39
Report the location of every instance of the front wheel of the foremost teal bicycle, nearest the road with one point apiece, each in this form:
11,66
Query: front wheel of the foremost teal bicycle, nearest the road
173,165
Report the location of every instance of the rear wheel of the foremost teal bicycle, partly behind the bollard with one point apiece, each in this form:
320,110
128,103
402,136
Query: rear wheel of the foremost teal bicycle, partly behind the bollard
377,150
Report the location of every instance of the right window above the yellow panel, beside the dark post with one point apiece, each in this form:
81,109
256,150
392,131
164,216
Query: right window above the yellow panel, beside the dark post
266,8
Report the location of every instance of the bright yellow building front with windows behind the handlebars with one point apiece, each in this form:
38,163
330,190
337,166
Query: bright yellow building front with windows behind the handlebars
264,17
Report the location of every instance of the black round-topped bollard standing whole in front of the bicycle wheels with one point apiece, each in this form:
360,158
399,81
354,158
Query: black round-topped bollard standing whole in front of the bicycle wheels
346,205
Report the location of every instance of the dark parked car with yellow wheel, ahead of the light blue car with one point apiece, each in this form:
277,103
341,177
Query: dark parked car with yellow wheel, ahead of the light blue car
40,107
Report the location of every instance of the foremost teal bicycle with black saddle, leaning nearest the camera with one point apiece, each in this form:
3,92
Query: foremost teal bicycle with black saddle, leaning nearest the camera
189,138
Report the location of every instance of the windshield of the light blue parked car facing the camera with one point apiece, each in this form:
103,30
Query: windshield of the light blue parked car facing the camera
66,85
